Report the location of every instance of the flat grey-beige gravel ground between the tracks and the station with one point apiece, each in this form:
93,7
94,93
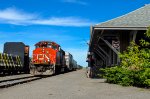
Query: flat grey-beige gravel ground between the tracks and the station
73,85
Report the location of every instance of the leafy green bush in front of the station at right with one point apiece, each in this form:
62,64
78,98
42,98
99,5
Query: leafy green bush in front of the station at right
134,69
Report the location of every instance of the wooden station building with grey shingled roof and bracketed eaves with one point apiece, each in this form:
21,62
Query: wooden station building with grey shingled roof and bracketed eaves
109,38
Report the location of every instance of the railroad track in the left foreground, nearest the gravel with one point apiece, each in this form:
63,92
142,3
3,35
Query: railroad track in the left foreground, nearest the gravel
20,80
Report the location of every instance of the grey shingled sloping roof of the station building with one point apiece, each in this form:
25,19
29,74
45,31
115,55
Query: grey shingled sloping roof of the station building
137,18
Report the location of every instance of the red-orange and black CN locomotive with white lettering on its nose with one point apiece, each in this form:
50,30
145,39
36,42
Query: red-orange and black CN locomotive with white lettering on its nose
49,58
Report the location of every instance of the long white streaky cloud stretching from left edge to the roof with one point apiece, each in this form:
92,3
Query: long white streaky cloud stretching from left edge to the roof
13,16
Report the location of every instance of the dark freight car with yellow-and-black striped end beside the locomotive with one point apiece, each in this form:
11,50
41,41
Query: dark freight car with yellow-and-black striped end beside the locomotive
15,58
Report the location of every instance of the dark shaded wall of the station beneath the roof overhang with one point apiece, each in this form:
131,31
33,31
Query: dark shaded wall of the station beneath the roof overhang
123,36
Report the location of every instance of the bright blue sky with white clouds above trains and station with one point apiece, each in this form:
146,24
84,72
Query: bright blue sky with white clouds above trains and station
66,22
